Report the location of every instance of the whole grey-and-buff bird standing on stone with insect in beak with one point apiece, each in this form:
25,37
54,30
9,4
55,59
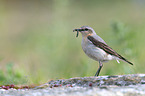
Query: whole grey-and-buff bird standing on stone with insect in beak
96,48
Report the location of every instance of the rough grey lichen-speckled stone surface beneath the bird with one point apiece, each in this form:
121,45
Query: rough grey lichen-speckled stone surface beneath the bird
121,85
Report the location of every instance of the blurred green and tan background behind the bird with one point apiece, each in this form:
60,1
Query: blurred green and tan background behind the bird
37,43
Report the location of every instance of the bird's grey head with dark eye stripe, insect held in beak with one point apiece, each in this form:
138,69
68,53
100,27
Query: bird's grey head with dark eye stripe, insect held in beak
85,31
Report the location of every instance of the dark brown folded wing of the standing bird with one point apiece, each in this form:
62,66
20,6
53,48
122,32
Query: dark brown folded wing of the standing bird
106,48
